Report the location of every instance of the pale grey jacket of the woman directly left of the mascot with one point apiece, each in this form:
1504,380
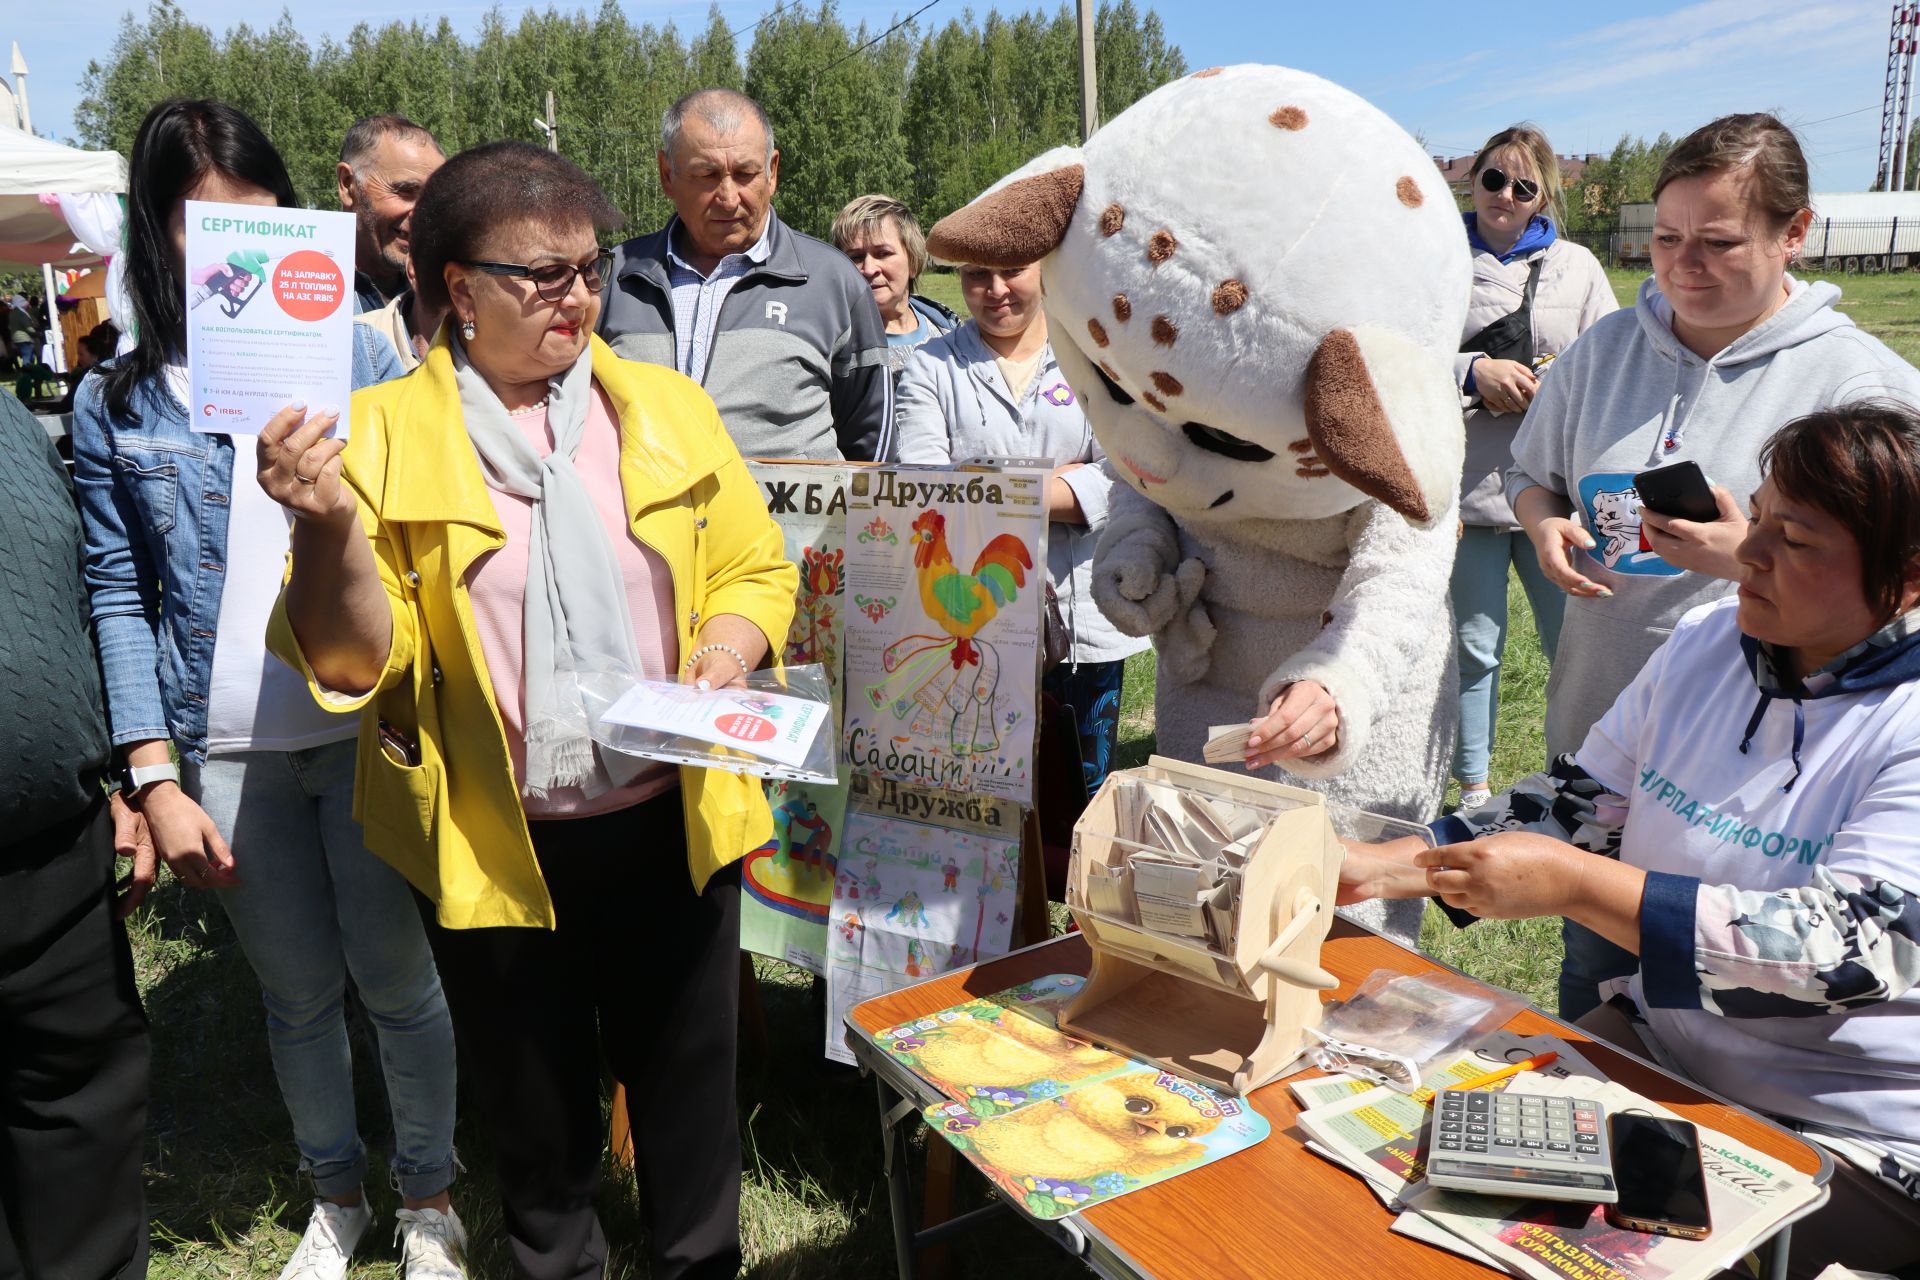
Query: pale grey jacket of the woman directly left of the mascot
955,406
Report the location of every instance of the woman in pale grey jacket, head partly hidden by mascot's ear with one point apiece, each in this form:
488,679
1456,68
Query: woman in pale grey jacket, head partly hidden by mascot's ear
992,389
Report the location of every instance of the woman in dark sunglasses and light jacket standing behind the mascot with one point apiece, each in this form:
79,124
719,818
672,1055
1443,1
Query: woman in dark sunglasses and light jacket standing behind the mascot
1533,295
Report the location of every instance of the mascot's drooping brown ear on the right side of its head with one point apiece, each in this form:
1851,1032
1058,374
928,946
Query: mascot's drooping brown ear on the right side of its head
1351,433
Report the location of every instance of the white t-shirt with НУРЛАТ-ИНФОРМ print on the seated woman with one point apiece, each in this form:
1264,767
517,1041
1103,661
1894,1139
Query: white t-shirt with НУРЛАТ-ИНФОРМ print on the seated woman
1700,807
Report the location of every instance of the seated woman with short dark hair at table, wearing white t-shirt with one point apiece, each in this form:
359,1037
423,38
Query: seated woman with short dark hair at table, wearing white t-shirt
1744,824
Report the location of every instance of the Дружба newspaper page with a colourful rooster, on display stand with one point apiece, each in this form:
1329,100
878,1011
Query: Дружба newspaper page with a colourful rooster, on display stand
948,581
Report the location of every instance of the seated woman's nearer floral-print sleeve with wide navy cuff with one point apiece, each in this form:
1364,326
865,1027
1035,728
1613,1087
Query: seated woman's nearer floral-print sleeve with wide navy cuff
1835,945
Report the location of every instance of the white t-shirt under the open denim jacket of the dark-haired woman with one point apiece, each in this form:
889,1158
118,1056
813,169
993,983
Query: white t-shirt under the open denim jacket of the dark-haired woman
256,701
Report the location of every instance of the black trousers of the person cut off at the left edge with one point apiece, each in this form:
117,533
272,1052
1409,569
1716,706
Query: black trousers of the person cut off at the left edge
74,1062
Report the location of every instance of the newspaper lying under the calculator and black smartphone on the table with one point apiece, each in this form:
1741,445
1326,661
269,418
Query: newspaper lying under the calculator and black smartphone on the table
1748,1197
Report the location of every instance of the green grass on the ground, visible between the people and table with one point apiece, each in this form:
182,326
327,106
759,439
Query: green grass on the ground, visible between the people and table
228,1202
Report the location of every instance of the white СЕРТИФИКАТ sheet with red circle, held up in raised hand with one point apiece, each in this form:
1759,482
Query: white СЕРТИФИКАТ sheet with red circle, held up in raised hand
270,314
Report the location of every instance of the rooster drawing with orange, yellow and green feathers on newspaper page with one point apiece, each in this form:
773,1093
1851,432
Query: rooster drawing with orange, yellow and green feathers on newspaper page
955,671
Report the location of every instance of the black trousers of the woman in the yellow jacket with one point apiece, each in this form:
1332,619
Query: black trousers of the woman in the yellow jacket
644,976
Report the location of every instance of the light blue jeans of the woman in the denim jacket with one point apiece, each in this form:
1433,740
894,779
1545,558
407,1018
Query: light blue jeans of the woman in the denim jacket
312,909
